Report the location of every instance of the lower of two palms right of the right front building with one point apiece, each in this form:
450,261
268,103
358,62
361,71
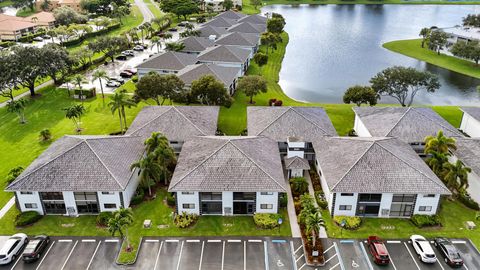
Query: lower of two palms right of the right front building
456,176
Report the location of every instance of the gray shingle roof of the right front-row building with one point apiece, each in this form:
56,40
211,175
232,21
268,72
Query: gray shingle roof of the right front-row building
374,165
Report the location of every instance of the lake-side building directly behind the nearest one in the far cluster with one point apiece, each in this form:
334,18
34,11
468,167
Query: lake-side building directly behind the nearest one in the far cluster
226,56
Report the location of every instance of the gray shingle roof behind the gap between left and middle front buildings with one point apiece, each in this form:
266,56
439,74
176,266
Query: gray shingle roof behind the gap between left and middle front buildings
177,123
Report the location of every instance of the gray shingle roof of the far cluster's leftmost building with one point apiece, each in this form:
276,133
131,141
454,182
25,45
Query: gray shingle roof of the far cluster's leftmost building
169,61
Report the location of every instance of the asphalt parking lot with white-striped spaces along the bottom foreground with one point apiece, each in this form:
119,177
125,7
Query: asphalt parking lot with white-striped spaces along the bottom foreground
243,253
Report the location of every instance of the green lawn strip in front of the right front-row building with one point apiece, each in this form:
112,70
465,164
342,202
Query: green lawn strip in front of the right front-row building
453,216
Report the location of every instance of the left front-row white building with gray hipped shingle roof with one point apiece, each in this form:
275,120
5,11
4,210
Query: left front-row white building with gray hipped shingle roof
80,175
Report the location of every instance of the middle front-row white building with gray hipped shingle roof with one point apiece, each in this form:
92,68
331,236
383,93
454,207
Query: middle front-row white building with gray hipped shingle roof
222,175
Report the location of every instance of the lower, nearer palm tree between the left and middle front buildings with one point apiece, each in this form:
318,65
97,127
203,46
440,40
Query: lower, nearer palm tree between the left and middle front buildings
149,171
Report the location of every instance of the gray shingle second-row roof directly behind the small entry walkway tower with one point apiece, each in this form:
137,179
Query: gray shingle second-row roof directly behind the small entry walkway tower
279,123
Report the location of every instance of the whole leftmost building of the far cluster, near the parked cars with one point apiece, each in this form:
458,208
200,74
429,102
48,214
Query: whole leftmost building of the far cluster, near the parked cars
166,63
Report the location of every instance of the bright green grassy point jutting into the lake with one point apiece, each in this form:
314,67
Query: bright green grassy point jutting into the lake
412,48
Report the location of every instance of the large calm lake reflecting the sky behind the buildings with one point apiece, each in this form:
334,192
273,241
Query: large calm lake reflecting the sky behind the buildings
333,47
